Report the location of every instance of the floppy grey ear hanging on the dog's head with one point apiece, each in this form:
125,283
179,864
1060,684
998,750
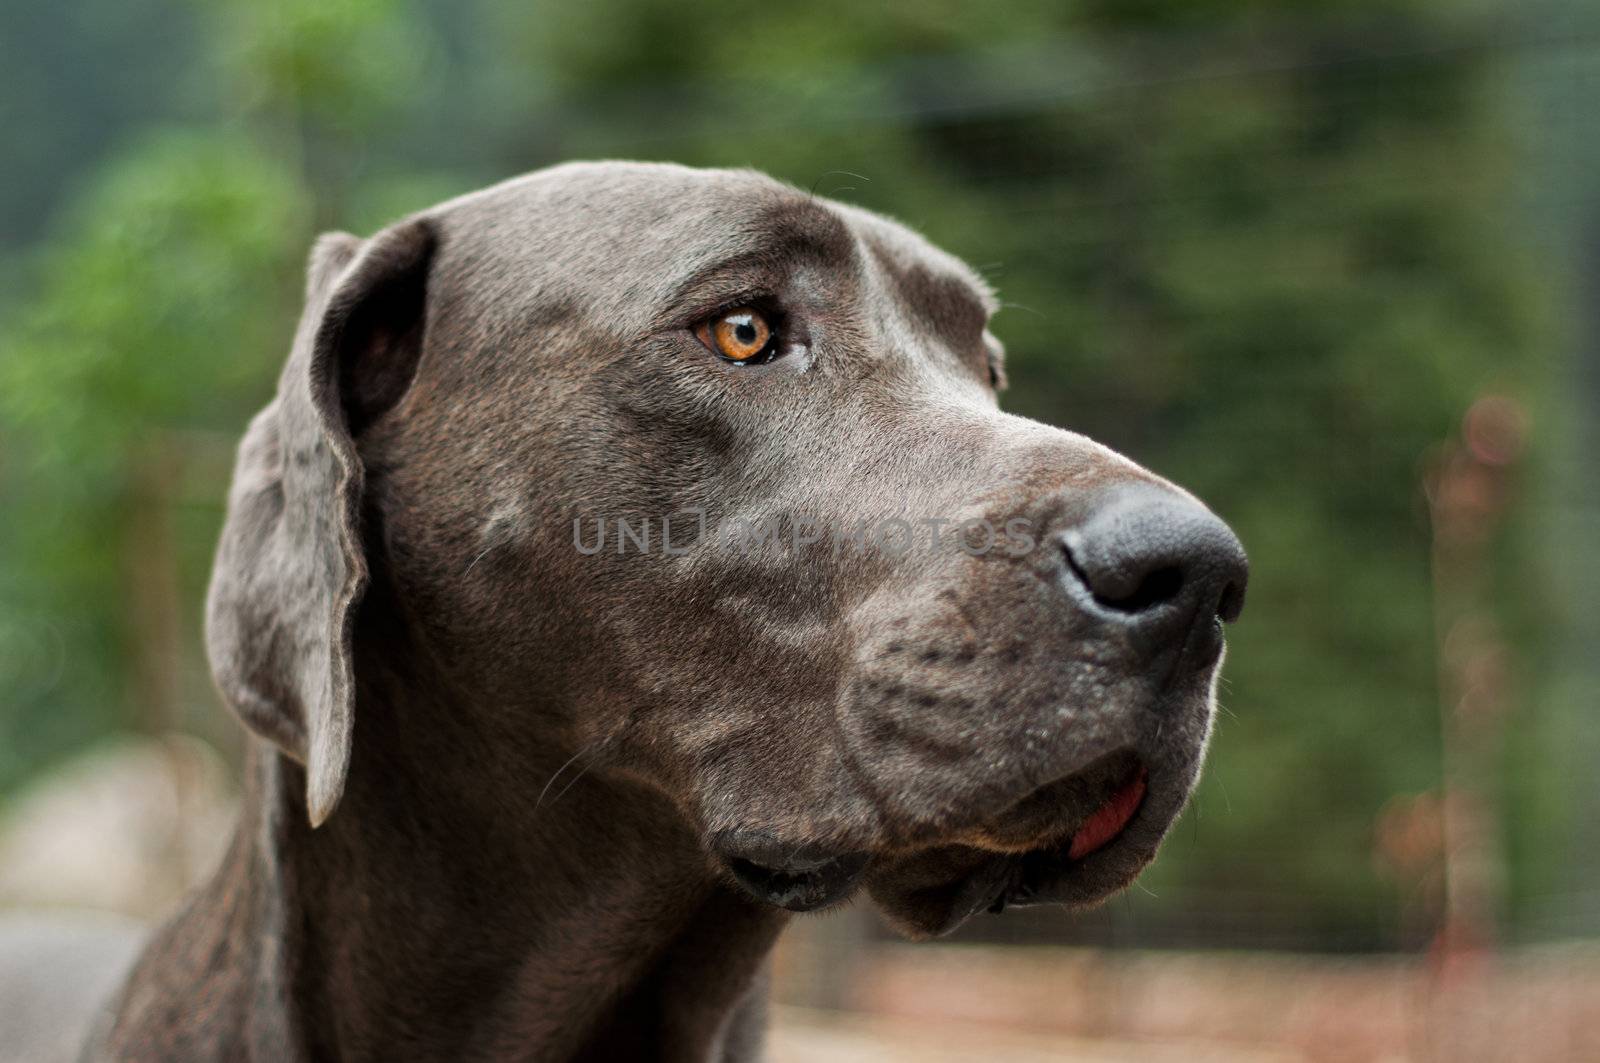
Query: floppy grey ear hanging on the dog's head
290,568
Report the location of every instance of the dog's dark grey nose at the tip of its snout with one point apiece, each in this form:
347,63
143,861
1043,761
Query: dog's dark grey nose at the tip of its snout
1158,561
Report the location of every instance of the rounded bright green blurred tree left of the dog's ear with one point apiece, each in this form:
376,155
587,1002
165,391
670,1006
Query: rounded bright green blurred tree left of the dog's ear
145,339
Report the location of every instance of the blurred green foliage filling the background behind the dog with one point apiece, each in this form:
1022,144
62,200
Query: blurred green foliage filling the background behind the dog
1270,251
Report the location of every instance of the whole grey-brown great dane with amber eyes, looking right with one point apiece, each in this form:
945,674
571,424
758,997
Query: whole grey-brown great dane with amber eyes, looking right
633,556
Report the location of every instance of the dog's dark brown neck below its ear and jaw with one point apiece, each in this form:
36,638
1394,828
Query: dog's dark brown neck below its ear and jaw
430,918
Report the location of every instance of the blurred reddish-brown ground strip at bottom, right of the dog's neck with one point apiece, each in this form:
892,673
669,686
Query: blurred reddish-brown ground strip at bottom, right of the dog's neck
969,1003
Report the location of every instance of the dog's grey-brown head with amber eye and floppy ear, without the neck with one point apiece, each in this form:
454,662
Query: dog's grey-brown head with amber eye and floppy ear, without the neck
706,479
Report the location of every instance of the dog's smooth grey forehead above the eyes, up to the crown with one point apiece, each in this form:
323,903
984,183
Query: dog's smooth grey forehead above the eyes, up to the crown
636,235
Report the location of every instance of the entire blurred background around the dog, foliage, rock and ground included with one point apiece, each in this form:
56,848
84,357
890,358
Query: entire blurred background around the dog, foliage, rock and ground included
1332,265
